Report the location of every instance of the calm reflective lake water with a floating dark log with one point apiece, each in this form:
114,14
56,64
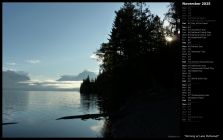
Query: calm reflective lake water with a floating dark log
36,112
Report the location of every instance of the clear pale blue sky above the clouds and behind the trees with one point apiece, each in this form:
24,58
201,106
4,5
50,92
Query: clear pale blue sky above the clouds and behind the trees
48,40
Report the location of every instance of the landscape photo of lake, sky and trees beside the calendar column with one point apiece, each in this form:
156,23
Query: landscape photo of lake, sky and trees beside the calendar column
90,70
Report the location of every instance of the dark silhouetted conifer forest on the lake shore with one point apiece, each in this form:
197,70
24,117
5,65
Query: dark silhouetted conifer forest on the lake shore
137,58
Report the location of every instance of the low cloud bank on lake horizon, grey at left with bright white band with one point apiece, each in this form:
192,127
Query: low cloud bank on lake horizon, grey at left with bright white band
20,81
